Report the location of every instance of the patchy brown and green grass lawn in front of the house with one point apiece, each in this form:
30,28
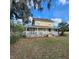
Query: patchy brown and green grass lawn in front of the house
41,48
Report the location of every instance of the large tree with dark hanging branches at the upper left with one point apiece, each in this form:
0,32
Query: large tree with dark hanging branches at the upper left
21,8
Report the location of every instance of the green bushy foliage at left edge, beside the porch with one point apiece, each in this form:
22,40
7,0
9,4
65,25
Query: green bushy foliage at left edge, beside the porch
15,32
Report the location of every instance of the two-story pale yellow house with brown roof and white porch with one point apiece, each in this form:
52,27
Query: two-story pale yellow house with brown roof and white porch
39,28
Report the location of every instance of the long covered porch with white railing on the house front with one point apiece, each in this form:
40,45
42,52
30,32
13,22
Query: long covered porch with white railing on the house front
38,31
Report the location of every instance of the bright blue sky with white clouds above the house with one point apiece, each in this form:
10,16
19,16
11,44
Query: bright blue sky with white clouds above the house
59,11
